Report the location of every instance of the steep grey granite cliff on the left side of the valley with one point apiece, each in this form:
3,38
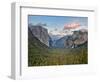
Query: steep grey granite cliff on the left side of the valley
40,33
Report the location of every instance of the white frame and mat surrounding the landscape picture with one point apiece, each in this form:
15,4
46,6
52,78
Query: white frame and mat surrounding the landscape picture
19,61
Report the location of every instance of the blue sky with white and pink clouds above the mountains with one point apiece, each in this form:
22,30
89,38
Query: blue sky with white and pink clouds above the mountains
57,24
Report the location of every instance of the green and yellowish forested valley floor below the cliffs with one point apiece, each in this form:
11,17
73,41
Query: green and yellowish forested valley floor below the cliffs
58,57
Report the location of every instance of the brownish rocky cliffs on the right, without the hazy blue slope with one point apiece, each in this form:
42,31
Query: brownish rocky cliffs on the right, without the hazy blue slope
78,38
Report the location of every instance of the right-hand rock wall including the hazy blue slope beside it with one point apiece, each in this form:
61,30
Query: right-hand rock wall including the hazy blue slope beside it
71,41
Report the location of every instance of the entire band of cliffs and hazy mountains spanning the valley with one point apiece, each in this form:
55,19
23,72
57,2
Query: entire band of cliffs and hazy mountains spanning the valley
78,37
